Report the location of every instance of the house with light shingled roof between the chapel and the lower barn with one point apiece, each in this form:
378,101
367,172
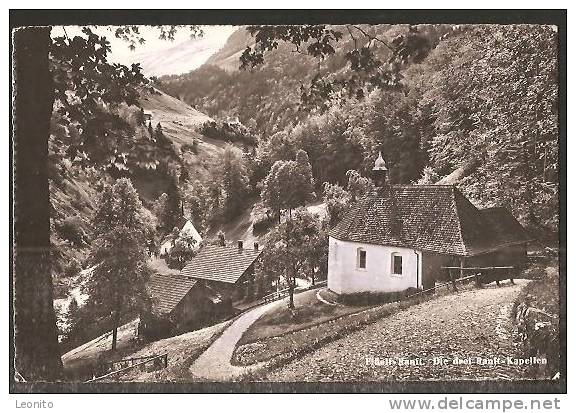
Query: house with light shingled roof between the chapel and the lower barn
228,269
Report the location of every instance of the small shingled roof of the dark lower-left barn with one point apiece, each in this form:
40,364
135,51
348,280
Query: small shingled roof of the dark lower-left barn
167,290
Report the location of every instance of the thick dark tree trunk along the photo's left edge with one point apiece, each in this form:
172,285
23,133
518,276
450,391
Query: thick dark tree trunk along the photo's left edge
37,354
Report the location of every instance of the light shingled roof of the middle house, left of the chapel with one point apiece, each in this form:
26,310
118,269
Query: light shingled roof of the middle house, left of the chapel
221,263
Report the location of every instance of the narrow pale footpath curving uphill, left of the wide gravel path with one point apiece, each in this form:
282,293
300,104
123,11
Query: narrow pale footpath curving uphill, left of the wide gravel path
214,364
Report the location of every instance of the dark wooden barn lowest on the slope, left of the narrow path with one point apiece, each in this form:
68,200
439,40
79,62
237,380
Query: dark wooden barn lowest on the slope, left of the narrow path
181,304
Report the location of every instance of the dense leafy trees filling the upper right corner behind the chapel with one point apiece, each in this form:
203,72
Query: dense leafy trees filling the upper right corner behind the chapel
492,94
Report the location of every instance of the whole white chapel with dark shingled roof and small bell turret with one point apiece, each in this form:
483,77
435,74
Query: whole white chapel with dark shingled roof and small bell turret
410,236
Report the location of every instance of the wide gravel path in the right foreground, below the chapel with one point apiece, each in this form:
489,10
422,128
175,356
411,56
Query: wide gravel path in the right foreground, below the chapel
473,323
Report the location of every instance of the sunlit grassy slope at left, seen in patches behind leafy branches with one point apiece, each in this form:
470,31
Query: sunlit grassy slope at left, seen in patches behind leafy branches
74,189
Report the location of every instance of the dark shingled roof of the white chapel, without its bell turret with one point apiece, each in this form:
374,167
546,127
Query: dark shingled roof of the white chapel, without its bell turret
434,218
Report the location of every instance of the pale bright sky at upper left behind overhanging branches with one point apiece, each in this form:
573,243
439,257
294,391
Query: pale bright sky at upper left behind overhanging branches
161,57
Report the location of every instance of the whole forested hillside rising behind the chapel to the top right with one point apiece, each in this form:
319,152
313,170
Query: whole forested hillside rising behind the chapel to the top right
480,98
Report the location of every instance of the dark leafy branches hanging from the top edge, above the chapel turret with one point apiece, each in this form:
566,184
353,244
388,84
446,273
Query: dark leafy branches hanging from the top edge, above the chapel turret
365,69
